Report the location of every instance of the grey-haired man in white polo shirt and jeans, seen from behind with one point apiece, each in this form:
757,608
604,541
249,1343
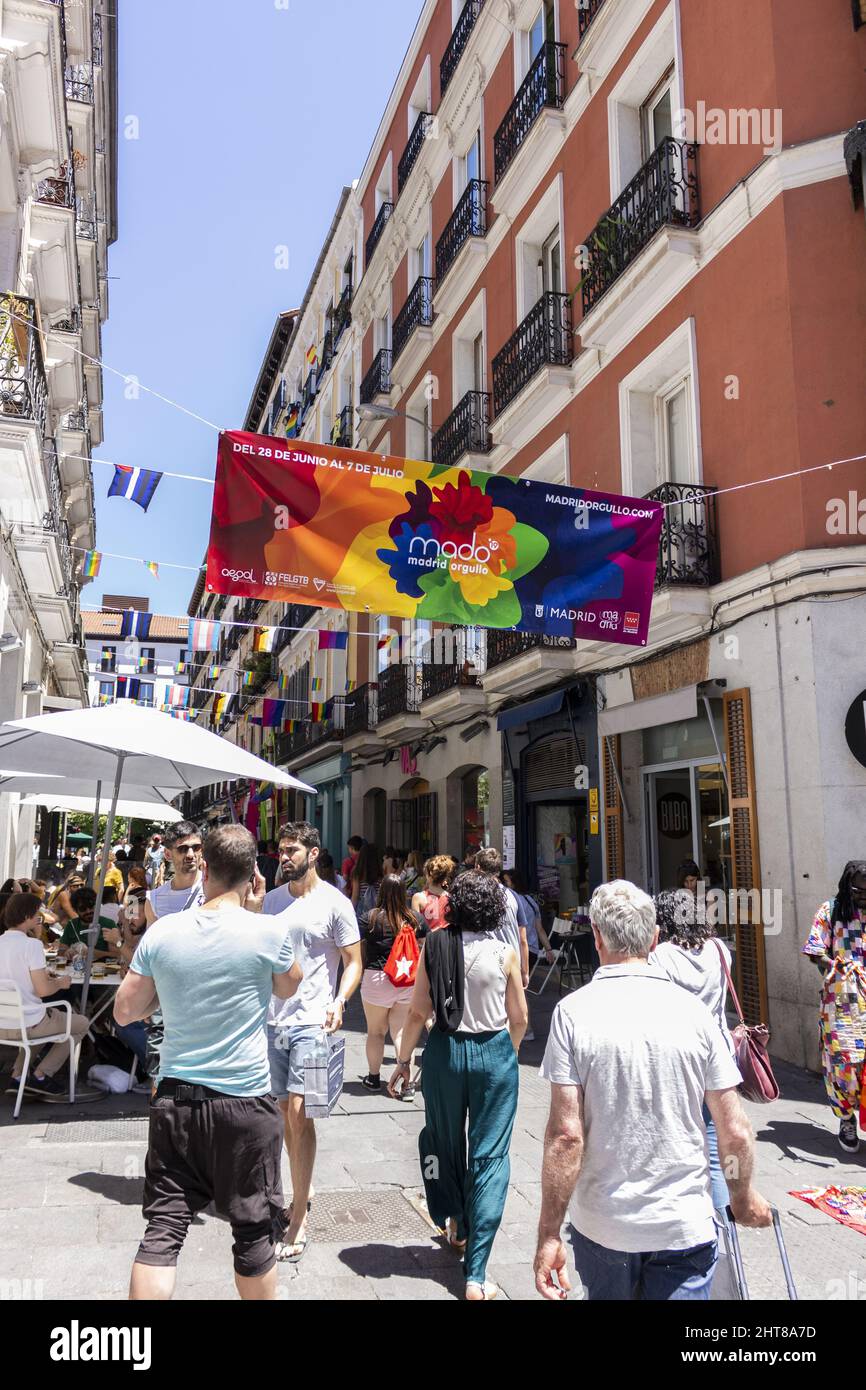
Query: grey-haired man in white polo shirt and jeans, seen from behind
632,1060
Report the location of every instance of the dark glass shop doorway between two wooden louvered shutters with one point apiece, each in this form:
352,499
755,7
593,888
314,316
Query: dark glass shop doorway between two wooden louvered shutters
687,817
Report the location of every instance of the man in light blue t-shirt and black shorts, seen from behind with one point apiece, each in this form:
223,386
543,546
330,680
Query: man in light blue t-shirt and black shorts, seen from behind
216,1131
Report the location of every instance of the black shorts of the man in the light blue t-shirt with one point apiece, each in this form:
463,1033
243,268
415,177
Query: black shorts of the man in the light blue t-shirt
224,1150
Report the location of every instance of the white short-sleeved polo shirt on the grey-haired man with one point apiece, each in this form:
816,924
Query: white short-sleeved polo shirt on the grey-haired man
646,1053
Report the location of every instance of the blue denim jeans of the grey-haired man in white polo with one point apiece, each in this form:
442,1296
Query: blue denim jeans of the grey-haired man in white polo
655,1277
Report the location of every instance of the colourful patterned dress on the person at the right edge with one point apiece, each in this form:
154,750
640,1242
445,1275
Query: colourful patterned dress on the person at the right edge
843,1024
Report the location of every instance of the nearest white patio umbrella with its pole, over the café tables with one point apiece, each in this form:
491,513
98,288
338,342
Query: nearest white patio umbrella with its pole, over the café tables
130,746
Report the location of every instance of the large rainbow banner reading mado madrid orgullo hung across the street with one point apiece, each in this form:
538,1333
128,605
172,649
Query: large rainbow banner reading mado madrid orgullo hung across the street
307,523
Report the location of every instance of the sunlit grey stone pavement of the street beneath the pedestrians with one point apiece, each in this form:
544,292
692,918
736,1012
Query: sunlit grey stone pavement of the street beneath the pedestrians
72,1186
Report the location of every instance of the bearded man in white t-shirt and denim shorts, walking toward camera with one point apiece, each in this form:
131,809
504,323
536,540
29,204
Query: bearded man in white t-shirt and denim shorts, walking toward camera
325,933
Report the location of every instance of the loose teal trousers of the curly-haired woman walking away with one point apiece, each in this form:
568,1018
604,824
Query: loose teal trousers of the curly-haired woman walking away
469,1077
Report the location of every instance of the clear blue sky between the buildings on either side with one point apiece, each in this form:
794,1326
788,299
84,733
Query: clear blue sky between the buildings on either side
252,117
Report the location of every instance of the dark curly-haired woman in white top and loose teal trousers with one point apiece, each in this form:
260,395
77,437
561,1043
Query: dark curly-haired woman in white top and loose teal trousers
471,981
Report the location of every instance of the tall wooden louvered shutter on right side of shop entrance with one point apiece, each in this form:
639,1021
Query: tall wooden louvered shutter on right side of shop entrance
746,858
